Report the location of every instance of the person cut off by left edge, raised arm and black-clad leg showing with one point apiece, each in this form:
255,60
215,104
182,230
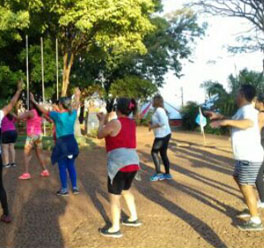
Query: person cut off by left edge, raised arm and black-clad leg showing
3,198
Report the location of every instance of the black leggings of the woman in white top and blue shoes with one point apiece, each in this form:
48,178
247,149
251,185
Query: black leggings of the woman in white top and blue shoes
160,145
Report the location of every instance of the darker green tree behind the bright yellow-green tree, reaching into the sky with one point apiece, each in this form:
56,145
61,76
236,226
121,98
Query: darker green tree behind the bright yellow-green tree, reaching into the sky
168,46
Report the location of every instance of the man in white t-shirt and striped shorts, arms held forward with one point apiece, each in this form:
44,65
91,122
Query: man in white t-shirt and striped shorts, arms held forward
247,150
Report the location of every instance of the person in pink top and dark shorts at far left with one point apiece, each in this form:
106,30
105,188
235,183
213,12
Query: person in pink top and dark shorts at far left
9,137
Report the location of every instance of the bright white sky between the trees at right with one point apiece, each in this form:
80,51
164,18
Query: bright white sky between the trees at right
221,32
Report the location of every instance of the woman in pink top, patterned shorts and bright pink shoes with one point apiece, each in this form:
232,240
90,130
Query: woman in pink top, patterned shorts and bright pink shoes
33,119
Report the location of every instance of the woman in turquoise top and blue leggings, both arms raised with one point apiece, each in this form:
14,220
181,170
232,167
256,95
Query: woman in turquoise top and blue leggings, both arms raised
66,148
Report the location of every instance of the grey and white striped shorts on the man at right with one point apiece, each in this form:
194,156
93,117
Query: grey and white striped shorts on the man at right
246,172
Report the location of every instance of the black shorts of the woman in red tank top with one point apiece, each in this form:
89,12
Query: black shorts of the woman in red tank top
122,181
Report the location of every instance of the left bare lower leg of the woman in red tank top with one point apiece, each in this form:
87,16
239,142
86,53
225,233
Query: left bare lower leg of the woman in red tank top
115,212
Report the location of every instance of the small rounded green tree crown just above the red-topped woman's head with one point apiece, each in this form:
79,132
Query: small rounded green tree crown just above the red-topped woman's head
133,87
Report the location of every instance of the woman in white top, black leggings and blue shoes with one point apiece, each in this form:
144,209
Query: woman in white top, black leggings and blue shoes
162,132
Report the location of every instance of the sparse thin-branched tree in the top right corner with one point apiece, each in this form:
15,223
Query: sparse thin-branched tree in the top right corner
250,10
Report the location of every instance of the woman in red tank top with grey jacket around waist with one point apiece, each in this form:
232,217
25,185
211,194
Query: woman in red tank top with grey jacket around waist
122,162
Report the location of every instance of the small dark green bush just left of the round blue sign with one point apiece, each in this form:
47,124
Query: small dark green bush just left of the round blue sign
189,113
